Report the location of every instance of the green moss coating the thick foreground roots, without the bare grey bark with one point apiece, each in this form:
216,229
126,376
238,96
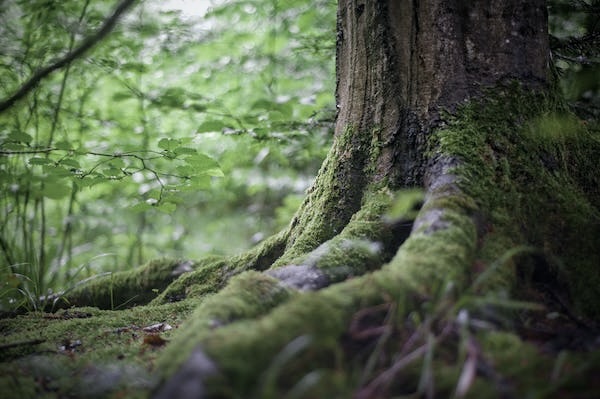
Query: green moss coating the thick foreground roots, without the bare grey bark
323,316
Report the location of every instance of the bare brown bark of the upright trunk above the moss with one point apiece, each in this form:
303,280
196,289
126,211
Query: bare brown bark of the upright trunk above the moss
402,62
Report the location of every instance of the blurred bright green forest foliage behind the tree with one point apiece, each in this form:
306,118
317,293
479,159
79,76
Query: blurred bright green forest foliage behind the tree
194,128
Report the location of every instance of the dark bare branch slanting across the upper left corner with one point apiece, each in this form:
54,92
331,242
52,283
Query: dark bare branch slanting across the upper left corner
87,44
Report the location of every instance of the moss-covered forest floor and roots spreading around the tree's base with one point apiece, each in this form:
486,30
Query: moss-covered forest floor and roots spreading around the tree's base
495,293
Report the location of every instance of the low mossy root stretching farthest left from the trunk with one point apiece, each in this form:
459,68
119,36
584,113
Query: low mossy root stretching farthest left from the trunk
165,280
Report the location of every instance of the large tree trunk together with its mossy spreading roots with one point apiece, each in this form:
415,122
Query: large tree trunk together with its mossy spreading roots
357,297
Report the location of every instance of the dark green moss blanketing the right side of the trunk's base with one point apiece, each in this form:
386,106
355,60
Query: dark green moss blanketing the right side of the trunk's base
521,158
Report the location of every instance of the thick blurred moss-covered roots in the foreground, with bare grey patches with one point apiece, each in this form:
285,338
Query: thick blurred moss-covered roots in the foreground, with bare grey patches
441,250
